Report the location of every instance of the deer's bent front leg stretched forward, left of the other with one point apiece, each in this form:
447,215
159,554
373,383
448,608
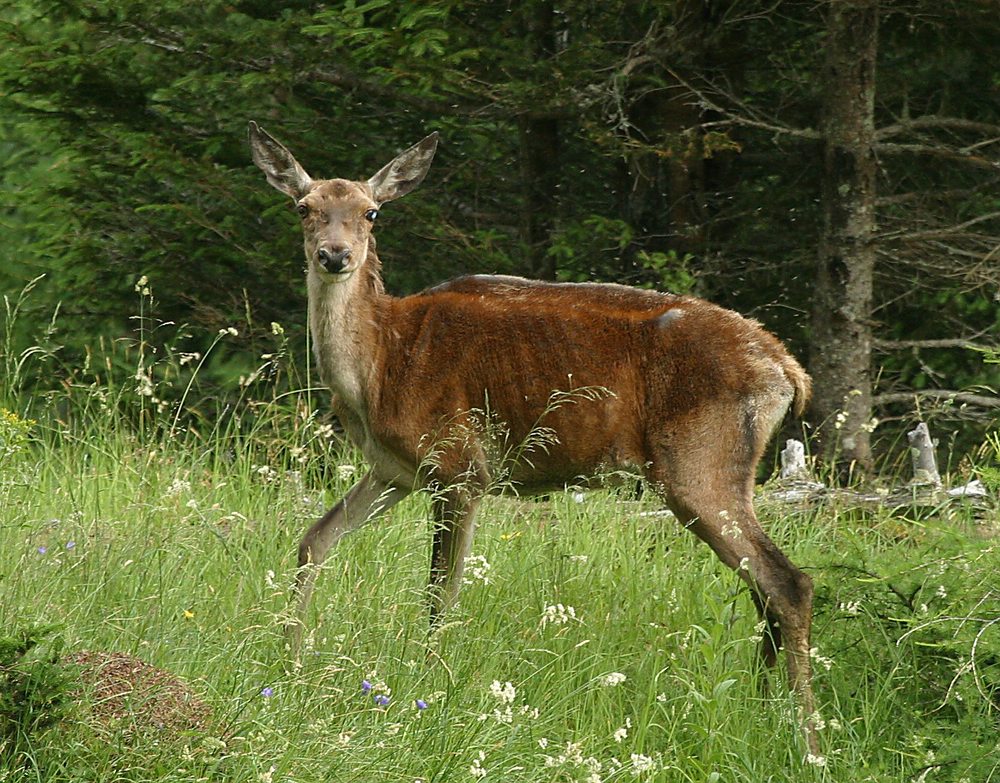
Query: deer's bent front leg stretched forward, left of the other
364,502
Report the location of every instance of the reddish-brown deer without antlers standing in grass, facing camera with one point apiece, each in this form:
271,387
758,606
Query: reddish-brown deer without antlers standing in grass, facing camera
493,382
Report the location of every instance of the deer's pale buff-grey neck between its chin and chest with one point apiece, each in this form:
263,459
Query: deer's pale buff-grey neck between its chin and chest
344,319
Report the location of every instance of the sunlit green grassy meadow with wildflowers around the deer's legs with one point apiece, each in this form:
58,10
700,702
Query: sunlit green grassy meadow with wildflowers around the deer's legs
594,639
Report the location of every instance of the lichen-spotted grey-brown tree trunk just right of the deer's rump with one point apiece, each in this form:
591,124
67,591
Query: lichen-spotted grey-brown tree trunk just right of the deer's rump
840,356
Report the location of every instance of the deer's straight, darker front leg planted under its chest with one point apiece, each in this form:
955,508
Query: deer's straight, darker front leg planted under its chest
454,525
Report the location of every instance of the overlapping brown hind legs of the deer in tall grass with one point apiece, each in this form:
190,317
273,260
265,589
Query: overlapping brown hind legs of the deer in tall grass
720,512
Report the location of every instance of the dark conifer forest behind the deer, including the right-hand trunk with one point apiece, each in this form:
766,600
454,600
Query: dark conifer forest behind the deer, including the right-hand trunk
829,168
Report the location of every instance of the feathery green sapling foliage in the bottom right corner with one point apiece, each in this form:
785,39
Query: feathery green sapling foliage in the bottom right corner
919,606
